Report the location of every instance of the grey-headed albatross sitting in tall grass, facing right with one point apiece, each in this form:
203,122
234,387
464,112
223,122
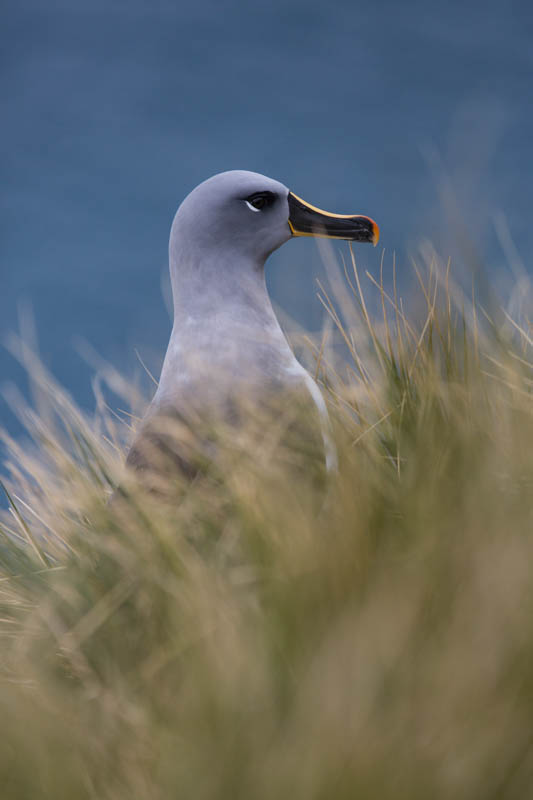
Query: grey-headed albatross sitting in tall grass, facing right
226,342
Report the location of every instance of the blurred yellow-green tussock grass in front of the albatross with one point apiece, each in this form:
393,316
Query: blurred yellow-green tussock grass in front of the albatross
255,640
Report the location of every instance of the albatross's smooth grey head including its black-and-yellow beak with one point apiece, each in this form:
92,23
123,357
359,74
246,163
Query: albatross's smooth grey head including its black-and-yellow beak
240,215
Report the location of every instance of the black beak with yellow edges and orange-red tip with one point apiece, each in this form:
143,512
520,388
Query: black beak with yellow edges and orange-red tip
308,220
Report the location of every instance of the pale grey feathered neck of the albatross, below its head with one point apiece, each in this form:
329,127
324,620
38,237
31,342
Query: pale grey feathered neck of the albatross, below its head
225,330
